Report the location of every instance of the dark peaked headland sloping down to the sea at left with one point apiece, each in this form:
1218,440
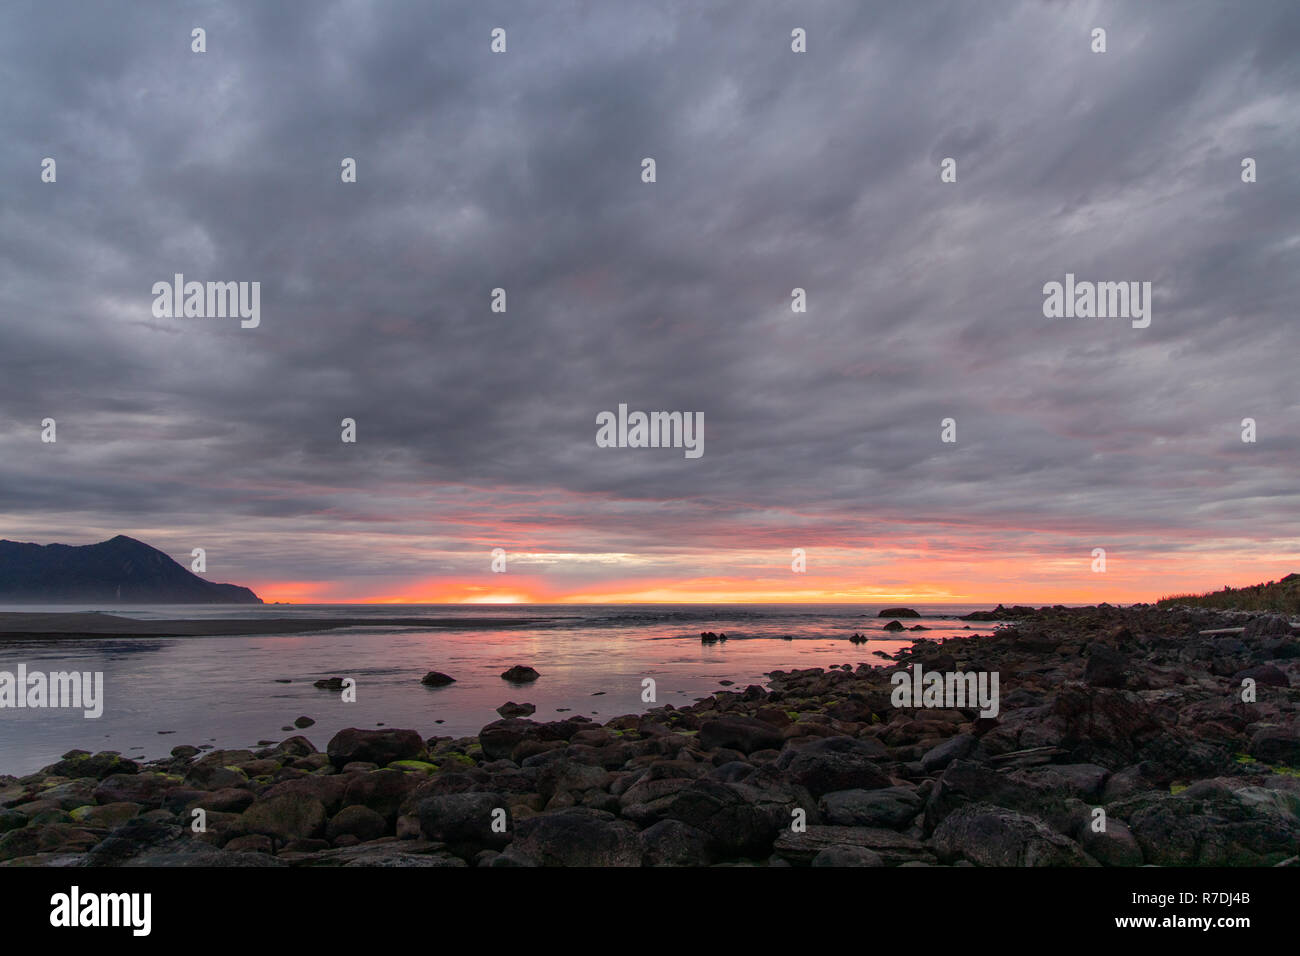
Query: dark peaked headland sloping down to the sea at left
116,572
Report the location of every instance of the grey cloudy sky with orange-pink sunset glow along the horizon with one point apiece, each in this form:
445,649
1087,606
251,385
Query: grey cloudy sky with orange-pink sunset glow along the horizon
774,171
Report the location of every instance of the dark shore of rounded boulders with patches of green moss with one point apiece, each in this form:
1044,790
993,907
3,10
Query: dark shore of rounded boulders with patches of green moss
1123,737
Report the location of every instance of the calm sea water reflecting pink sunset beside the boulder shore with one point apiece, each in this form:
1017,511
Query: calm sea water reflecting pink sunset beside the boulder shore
226,691
